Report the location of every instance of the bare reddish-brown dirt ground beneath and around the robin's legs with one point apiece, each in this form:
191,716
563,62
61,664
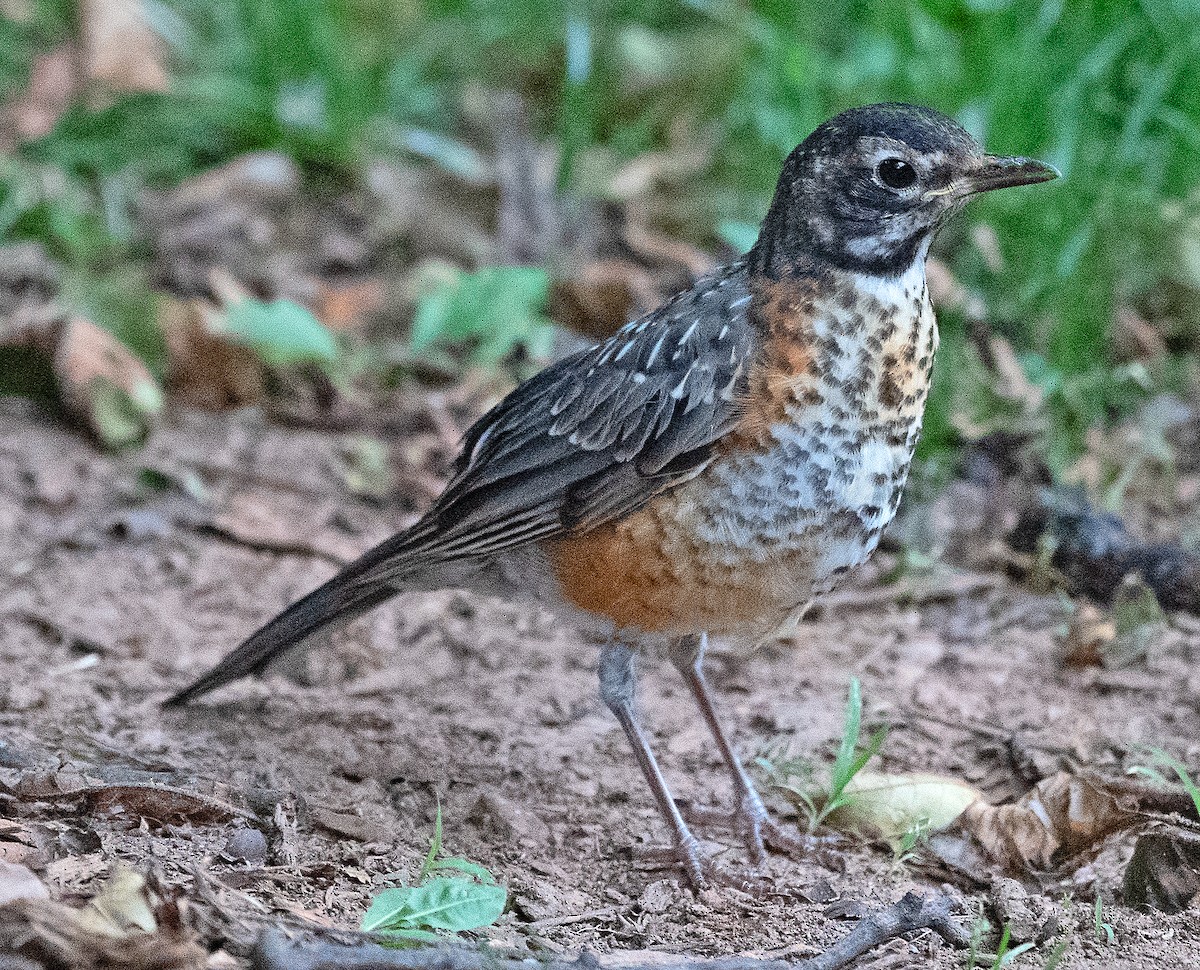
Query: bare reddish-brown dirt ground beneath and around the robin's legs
112,597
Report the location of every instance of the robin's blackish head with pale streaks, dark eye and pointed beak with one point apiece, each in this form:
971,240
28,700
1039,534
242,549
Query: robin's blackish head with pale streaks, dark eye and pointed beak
869,189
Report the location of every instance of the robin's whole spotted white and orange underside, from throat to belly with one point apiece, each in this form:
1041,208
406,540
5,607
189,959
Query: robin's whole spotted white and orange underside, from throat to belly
806,482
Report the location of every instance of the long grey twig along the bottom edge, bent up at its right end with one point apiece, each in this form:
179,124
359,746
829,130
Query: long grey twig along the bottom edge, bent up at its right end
275,951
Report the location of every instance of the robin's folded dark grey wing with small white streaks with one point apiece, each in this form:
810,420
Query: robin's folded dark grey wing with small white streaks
596,436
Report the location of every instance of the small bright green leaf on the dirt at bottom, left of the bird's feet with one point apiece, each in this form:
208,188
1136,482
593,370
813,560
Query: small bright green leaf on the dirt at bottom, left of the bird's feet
442,903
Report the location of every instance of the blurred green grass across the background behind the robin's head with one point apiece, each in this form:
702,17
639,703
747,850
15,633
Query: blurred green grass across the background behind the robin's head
1108,92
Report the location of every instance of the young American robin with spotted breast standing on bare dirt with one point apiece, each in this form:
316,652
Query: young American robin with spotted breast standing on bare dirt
717,464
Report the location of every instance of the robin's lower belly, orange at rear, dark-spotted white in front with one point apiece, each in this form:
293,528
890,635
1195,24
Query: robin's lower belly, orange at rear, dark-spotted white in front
741,547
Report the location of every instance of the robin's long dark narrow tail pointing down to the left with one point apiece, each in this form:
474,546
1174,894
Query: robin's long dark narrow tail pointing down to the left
362,586
